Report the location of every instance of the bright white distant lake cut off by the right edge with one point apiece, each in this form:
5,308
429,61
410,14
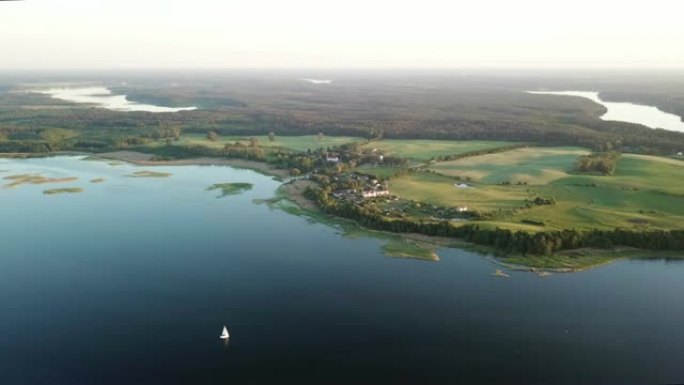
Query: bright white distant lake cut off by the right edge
628,112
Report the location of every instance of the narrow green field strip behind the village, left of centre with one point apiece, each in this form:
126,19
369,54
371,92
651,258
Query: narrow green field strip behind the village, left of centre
295,143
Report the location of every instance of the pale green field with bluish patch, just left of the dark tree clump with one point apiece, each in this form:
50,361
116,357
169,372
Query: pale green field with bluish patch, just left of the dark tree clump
532,165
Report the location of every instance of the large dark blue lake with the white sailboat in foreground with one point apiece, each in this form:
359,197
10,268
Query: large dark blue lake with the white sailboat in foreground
131,281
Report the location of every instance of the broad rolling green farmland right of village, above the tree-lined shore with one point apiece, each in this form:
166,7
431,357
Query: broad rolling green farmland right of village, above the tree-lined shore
646,192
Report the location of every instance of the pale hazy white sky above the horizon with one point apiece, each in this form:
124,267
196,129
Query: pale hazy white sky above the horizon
339,33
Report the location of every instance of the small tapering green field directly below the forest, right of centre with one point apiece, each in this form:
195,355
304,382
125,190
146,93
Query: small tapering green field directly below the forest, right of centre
424,150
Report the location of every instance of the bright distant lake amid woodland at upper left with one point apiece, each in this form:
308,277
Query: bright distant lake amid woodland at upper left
102,97
